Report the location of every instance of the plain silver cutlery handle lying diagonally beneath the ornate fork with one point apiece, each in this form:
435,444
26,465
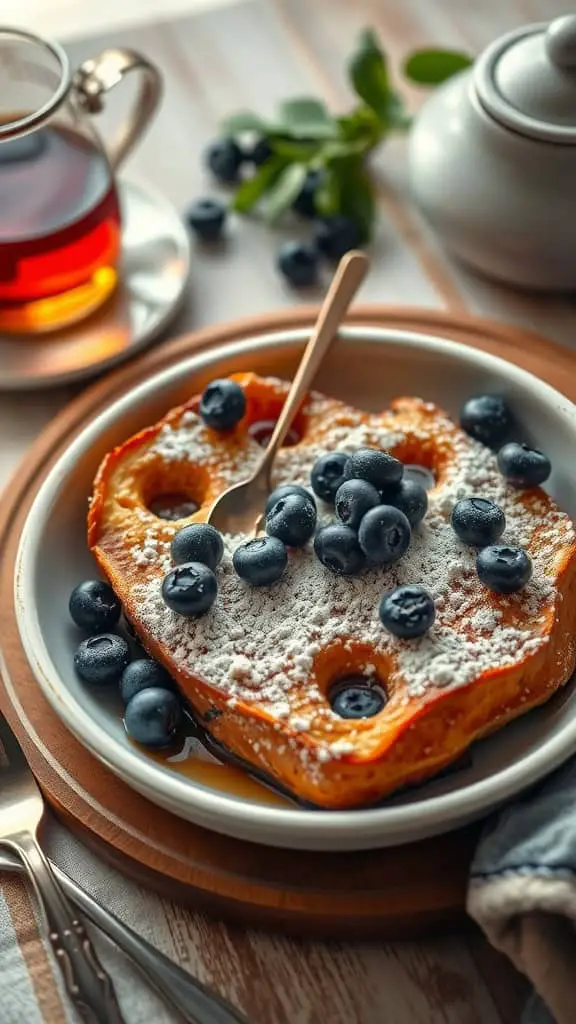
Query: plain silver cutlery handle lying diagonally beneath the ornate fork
194,1003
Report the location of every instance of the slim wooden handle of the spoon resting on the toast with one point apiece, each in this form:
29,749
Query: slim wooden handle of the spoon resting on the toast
348,279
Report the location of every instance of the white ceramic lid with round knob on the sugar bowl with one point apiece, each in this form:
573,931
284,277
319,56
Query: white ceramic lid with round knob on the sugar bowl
527,80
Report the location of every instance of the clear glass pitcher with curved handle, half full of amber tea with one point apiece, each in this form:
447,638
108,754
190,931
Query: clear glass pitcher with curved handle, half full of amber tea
60,214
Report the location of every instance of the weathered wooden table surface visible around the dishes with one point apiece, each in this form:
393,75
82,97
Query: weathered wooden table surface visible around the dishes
252,55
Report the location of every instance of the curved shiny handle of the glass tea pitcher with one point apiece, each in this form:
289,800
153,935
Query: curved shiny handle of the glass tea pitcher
98,75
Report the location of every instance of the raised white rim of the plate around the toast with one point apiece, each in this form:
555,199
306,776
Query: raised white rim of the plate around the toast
307,829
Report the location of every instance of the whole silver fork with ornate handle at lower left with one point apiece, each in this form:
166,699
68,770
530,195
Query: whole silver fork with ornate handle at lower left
22,808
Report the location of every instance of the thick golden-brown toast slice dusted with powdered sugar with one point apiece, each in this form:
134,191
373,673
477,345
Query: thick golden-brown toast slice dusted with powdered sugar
258,667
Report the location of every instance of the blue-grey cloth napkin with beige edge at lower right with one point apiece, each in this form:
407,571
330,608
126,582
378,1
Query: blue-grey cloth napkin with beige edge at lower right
523,893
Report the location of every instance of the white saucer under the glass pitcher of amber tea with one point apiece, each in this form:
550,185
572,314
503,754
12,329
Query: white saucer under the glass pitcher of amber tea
155,272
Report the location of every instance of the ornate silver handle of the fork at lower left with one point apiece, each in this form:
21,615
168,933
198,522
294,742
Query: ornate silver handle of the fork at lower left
88,984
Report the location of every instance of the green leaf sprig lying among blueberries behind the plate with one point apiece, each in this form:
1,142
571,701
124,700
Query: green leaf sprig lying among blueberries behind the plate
306,137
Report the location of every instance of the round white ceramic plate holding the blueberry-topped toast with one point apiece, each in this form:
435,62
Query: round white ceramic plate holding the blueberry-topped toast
366,367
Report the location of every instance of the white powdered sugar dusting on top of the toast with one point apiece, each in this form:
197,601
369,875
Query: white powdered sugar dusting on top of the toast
262,647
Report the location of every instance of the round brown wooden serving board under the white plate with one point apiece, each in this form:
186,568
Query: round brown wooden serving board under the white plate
392,893
